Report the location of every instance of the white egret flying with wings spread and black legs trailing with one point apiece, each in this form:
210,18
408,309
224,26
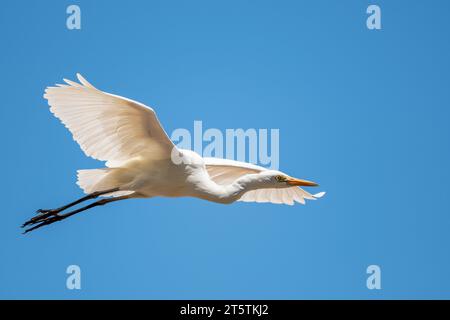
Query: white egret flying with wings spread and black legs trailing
142,162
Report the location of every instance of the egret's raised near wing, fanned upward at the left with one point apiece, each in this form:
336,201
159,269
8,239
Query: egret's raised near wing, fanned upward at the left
108,127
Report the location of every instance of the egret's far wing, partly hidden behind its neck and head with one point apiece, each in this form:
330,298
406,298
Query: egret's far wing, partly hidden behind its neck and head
224,171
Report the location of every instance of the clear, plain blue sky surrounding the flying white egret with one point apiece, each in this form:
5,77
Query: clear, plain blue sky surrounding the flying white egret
364,113
